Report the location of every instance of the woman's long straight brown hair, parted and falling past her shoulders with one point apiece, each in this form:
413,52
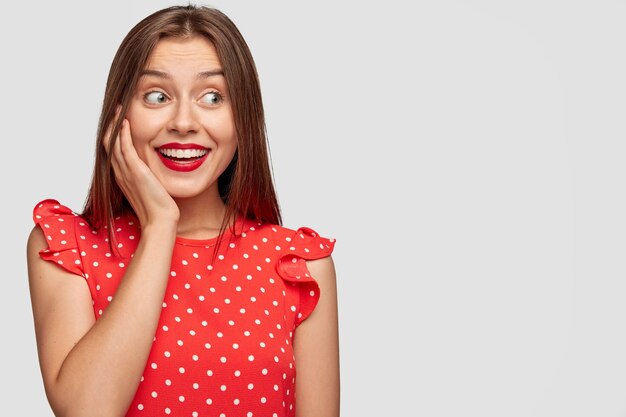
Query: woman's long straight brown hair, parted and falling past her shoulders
246,186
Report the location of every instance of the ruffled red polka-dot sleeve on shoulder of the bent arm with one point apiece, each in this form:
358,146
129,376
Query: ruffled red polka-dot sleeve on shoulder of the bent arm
58,225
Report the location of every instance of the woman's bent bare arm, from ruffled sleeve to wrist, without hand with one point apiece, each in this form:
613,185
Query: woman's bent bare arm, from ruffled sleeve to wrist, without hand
94,367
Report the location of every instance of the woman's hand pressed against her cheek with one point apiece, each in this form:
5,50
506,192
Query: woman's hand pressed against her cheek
147,196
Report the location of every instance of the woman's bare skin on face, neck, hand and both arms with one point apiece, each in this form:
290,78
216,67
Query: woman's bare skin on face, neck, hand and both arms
93,367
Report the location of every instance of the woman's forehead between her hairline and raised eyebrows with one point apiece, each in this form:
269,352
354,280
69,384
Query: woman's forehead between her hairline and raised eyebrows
196,53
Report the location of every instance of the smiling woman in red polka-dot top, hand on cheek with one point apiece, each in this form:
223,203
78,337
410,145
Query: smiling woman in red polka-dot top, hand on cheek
193,300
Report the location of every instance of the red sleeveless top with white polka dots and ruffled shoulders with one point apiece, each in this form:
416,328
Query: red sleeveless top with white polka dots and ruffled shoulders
224,341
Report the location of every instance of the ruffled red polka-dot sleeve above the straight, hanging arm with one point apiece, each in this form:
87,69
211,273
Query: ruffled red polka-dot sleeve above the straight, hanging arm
304,245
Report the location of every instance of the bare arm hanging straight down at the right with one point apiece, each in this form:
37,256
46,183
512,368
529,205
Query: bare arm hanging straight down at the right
316,346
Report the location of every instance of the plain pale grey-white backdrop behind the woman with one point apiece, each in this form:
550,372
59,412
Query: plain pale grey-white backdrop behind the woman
467,156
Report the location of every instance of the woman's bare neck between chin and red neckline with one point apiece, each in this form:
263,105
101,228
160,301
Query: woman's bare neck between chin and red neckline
200,216
